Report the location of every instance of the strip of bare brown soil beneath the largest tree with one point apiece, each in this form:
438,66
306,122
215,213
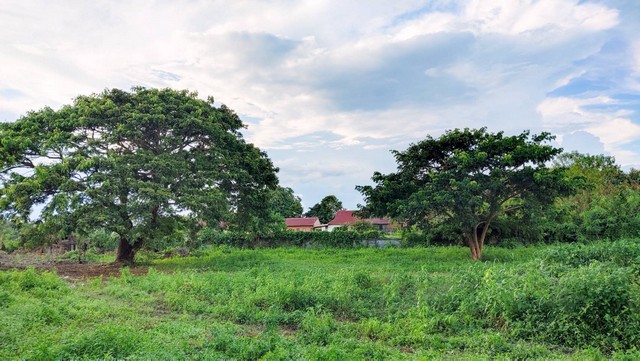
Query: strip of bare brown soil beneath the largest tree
68,269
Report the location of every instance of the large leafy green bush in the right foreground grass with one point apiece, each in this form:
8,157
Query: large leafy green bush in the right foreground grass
573,295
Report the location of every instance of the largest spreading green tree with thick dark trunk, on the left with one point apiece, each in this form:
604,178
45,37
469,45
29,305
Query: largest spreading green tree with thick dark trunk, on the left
140,164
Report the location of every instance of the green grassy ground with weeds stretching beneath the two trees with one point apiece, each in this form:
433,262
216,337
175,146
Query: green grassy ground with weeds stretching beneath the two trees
569,302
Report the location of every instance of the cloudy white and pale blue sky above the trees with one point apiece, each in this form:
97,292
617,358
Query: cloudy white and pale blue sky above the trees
328,87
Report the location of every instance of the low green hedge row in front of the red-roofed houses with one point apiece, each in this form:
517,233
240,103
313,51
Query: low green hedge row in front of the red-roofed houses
338,239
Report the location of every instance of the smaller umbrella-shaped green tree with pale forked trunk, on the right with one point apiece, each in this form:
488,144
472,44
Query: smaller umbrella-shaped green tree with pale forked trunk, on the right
460,182
